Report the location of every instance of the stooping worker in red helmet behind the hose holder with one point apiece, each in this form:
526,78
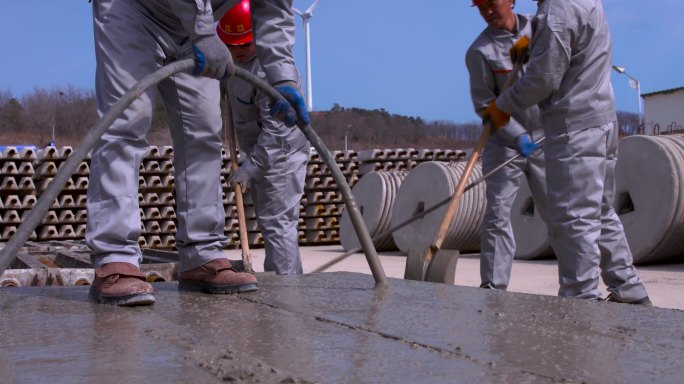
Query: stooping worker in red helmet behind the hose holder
276,155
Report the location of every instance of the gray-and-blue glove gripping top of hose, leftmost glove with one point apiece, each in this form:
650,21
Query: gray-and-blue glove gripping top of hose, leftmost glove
213,58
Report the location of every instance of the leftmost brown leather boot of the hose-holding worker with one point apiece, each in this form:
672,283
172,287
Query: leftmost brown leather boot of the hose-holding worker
121,284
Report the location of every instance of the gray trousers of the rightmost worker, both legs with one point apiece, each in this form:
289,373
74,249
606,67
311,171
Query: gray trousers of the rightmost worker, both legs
586,233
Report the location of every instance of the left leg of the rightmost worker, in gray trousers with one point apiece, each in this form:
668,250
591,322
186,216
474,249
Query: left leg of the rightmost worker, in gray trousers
575,173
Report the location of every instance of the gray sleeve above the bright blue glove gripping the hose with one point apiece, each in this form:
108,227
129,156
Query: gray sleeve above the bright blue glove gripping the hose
274,33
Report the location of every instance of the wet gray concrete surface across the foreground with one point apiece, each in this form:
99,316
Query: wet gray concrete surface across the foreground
336,328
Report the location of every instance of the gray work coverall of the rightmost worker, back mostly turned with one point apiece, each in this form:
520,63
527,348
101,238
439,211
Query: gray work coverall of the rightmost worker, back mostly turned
569,77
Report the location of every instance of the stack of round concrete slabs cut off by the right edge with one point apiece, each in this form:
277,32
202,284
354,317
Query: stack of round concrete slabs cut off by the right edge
649,180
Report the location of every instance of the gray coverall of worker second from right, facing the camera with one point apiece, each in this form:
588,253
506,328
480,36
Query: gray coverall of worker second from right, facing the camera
489,65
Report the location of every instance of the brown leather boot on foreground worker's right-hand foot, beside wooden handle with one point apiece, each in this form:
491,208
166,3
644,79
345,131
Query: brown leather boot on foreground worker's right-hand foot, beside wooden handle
216,276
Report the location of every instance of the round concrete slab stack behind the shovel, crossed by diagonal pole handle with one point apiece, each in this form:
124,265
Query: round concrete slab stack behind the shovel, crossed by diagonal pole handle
427,185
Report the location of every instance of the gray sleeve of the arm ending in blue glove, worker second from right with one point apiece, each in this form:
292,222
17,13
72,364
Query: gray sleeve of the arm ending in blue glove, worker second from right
483,90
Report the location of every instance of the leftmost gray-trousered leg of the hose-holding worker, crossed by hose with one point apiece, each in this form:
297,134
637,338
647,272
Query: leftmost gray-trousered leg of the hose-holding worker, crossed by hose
125,53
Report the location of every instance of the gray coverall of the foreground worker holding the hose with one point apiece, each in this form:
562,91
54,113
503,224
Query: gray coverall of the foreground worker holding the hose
132,40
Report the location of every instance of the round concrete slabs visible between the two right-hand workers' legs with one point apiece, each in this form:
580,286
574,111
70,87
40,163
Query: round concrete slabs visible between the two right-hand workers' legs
529,230
